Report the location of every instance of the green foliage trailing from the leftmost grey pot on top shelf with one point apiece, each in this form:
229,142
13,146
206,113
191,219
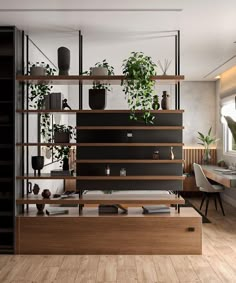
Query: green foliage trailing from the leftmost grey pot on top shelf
39,91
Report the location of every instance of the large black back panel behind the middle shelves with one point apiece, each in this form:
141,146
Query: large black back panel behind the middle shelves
127,135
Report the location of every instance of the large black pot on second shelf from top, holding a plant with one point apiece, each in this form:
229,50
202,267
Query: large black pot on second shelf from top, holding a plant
97,99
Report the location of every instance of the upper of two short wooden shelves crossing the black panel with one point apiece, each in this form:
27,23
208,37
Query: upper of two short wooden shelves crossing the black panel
130,128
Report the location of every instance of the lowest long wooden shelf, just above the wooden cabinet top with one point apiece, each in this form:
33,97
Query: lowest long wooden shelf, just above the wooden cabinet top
107,199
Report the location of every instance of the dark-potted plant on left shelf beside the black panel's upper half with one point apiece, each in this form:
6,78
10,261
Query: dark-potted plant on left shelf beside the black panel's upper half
63,133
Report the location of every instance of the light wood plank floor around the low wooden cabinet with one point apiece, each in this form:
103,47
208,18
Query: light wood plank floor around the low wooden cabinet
216,264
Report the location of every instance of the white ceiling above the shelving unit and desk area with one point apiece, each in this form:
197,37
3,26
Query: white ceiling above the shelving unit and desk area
208,29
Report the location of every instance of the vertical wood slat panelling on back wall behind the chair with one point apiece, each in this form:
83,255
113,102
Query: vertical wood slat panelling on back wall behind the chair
192,155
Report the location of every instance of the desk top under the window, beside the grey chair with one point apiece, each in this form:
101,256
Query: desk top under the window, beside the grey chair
228,181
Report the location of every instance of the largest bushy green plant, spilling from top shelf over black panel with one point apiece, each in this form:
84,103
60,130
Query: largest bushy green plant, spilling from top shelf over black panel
138,86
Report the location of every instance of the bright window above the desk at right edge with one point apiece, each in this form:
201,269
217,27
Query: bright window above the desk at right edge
228,109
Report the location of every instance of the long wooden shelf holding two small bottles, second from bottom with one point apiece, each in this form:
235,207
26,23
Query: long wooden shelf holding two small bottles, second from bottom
103,178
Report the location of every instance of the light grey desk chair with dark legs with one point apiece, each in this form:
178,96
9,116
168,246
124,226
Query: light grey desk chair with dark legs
207,188
